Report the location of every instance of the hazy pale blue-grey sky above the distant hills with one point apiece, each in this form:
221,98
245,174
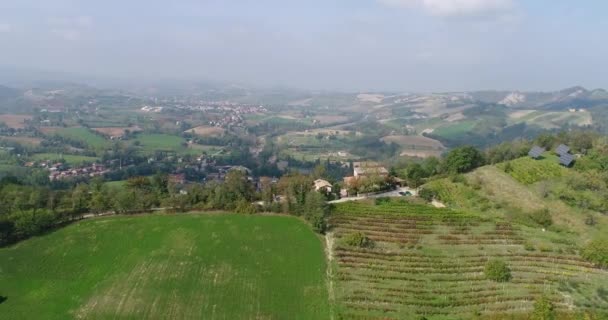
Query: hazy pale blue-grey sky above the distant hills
352,45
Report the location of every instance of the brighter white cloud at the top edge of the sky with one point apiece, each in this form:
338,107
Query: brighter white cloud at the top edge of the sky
453,7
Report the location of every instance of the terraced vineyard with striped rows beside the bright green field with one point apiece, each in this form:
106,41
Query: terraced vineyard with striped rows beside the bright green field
430,262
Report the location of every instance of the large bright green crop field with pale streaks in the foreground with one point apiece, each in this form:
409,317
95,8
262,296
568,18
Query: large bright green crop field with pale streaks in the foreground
168,267
